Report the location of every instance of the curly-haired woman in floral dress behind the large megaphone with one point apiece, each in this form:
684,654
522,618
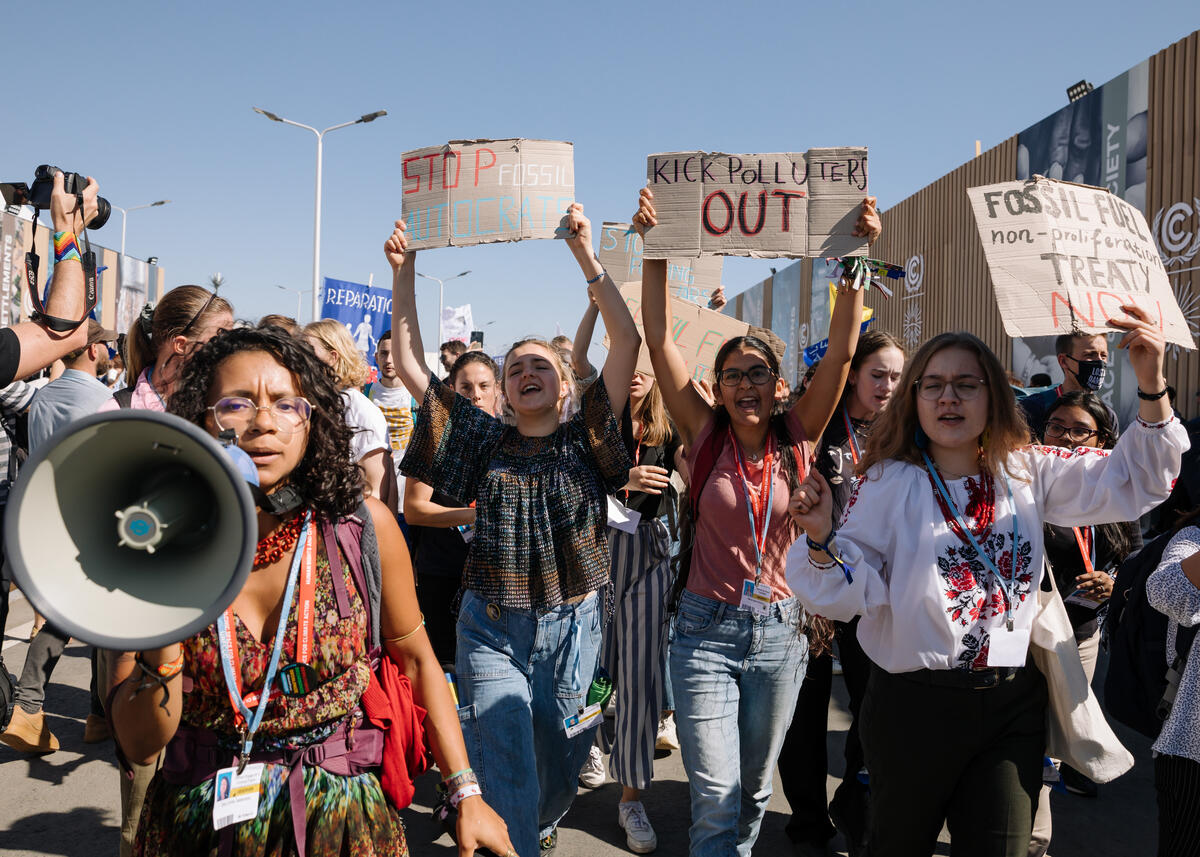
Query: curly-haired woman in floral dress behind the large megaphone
284,709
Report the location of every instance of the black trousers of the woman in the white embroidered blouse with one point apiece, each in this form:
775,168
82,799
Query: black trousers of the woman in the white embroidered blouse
969,758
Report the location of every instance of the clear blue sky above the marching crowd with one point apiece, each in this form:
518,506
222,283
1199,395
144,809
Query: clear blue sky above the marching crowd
154,99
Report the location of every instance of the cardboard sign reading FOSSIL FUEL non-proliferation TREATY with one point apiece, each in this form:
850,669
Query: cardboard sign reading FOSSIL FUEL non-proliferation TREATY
1065,257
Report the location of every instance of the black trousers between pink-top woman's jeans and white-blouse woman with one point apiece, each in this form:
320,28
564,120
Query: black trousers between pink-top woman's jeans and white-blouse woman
805,760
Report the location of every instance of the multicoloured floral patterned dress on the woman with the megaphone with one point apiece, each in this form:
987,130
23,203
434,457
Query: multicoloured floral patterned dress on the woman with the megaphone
346,816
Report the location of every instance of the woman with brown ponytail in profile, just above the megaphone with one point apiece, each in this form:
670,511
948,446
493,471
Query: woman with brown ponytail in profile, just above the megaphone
161,341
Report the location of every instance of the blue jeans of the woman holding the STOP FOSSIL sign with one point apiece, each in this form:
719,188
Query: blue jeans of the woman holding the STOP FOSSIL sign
520,674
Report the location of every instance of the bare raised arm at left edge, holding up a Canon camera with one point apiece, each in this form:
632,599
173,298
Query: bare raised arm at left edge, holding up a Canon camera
40,346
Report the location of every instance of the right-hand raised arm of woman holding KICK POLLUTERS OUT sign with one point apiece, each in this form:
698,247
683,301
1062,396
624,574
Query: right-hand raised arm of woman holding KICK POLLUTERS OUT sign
820,400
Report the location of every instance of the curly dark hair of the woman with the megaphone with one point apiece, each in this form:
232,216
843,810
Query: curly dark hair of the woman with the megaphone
326,477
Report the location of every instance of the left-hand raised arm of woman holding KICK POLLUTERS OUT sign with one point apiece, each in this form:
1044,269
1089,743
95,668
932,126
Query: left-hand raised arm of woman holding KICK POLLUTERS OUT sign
688,409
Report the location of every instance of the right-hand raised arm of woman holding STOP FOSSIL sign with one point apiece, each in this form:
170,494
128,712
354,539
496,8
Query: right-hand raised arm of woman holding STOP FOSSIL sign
623,338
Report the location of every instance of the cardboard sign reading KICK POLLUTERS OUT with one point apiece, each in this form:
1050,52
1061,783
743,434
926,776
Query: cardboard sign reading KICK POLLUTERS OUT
788,205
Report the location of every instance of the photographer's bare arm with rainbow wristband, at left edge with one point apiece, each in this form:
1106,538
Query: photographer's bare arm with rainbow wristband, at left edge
31,346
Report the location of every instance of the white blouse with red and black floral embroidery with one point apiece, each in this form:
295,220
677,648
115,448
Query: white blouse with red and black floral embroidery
927,600
